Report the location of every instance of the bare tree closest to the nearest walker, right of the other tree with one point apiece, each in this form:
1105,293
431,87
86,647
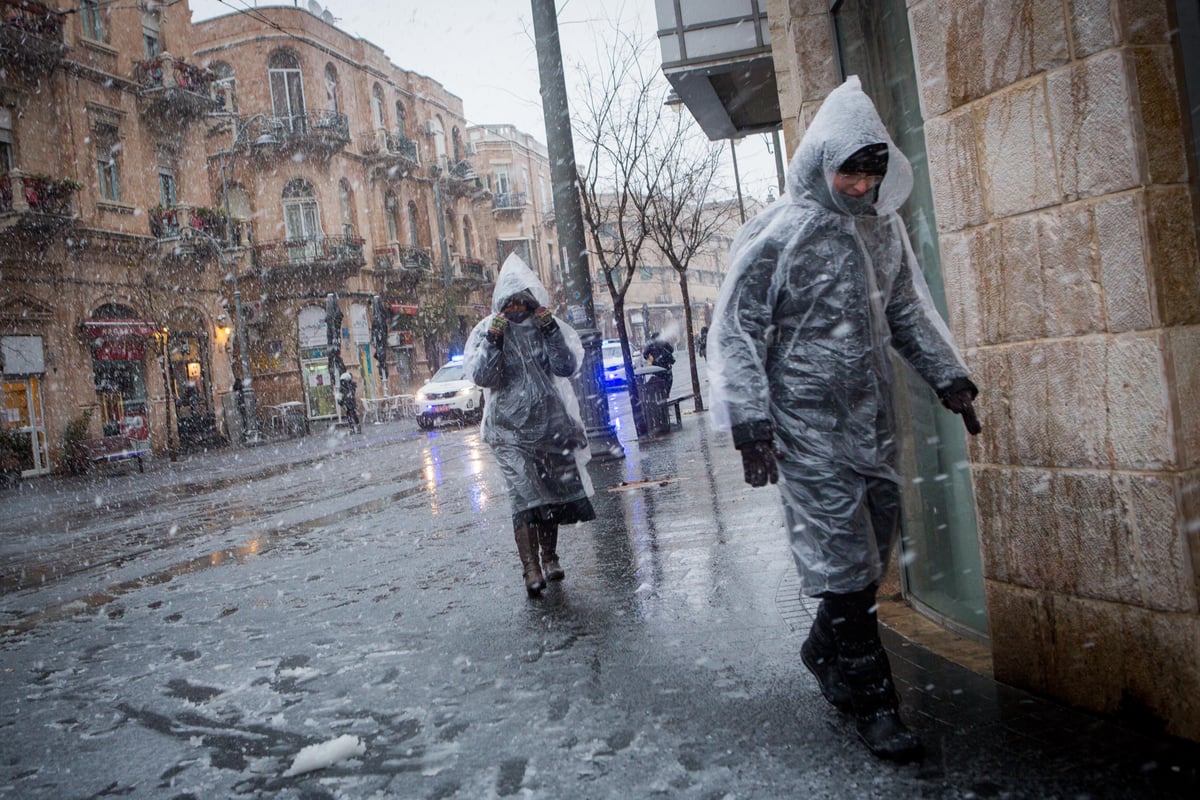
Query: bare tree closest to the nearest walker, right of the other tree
682,219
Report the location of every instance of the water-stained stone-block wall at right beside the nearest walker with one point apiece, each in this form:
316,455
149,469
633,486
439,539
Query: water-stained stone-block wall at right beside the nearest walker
1060,169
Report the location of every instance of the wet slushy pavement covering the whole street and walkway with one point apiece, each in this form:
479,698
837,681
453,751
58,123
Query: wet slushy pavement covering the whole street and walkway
185,633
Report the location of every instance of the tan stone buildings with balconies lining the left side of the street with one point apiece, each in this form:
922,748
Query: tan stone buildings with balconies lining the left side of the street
151,167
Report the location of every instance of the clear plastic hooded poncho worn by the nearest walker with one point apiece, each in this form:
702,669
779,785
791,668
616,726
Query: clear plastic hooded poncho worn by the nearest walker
821,288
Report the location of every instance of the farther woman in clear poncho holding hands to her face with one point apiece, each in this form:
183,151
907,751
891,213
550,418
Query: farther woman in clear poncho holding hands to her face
523,357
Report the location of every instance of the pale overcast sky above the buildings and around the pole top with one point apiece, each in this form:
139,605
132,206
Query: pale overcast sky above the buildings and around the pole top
483,51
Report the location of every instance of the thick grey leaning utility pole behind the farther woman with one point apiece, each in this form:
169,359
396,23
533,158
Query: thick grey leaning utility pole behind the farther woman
569,220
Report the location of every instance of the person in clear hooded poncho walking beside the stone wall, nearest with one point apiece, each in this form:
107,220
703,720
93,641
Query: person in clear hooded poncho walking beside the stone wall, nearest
823,286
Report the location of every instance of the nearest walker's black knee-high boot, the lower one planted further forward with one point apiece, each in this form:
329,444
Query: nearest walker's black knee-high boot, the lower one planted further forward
868,675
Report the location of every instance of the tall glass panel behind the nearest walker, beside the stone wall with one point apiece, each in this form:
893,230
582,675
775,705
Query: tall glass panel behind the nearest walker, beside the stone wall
941,568
